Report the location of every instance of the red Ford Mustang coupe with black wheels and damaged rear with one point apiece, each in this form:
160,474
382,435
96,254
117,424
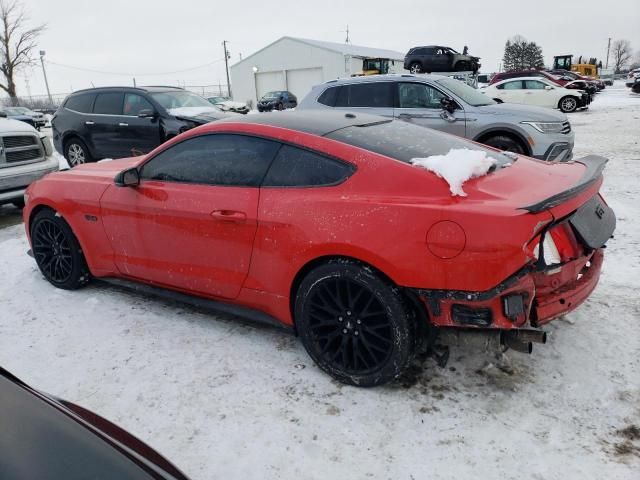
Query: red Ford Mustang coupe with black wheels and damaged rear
319,222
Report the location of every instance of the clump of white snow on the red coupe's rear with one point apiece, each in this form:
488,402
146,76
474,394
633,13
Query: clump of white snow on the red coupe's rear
457,166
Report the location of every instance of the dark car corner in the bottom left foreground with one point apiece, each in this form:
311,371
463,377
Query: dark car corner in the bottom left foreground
45,437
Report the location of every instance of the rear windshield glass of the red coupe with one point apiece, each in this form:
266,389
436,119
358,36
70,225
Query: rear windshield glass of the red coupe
404,141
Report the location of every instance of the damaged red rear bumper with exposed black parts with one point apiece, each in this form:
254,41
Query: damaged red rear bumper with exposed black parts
529,298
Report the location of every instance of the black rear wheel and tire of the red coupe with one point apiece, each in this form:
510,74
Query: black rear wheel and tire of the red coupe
354,323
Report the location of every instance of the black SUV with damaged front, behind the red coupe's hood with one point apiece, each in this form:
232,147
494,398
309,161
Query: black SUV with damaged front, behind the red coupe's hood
120,122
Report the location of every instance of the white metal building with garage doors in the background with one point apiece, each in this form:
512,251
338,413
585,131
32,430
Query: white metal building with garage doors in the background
297,64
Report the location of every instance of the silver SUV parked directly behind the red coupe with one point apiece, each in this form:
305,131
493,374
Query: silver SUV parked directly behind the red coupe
450,105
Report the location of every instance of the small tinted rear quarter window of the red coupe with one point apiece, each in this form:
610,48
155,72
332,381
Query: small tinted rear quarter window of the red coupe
296,167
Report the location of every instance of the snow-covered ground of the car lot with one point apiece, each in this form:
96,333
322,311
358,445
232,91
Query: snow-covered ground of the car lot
223,398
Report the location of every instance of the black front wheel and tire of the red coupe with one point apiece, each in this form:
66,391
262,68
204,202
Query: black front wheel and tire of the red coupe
57,251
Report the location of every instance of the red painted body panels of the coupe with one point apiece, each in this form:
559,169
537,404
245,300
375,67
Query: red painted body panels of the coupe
248,245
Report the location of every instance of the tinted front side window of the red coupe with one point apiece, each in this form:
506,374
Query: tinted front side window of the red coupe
218,159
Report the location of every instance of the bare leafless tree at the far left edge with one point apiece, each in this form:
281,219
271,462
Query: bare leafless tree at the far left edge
17,41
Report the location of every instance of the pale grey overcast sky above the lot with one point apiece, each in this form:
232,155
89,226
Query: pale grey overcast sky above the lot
143,37
